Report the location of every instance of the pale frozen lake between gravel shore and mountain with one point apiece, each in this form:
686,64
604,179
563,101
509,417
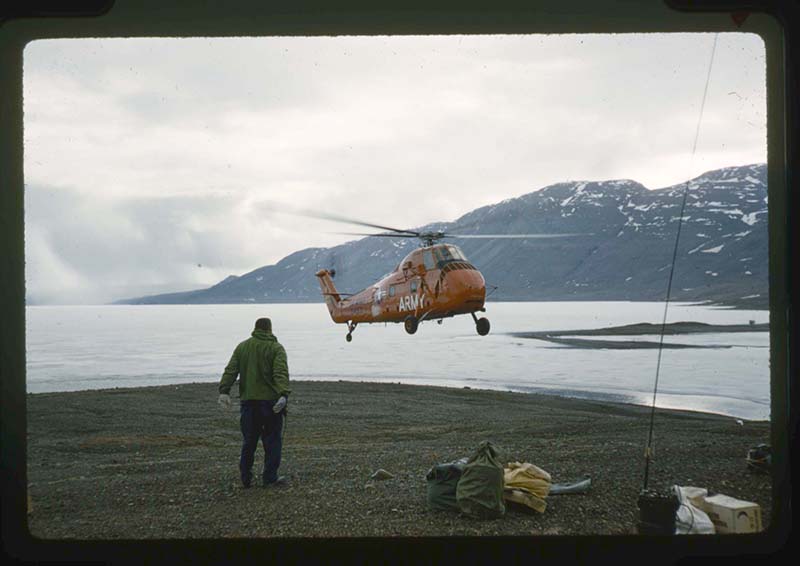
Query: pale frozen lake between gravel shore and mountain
92,347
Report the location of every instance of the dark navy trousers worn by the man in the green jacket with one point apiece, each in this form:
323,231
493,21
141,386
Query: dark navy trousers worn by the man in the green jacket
258,421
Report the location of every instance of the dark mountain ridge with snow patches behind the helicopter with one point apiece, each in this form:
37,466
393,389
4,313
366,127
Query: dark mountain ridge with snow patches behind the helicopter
623,251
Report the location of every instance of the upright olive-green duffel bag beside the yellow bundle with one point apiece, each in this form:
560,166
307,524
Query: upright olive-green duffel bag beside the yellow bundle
479,492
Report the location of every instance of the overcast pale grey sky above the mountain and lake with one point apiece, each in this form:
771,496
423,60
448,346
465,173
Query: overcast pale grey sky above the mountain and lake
148,161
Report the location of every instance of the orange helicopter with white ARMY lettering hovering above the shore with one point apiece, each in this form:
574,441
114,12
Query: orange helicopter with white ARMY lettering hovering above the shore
433,282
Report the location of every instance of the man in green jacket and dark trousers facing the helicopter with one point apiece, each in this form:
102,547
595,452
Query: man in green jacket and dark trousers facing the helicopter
263,390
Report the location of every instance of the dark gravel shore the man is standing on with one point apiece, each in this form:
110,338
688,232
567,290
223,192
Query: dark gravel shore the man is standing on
161,462
